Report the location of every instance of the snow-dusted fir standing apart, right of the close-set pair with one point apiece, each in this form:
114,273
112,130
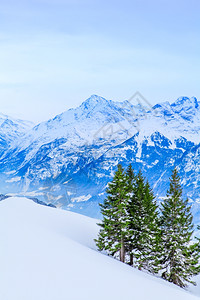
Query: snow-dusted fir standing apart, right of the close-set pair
179,256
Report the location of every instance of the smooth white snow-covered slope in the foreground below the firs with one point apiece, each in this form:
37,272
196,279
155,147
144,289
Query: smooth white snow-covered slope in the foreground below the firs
48,253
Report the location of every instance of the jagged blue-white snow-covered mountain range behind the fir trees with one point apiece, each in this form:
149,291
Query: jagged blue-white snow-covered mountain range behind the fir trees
69,160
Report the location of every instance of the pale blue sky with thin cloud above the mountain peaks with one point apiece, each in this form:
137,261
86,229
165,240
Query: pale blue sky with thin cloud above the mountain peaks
56,53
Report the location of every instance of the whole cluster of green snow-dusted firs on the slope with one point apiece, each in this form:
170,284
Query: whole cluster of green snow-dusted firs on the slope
140,234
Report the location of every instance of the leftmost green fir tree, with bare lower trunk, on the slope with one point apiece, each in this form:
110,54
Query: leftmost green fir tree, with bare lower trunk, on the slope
113,234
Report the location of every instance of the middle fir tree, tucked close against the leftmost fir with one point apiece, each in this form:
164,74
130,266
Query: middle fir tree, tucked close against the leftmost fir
143,225
